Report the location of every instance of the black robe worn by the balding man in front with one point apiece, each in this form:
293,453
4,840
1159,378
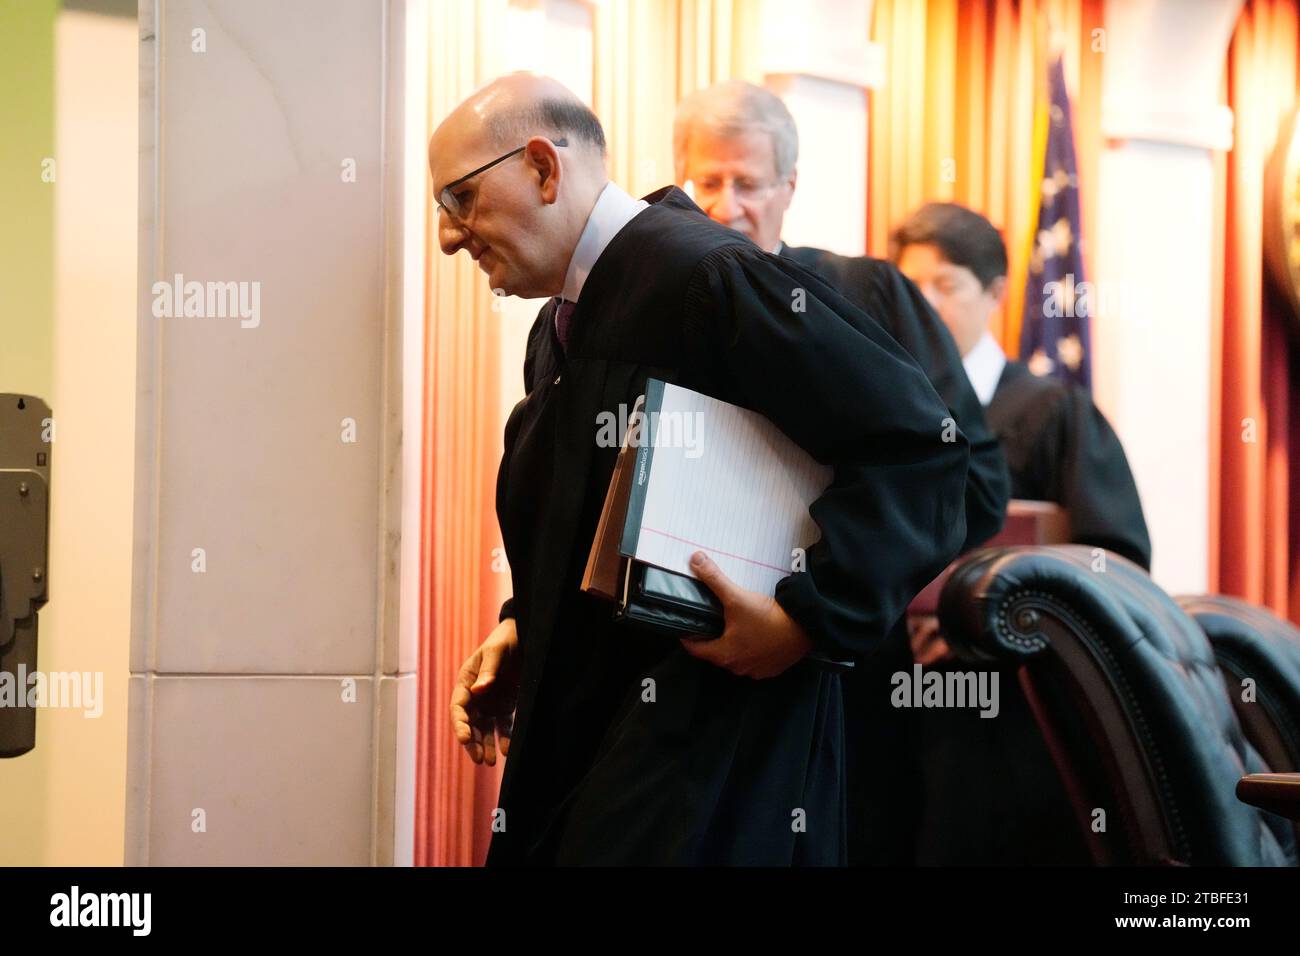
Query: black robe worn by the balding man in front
717,769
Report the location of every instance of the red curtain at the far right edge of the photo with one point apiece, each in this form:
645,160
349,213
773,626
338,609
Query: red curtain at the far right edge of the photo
1255,512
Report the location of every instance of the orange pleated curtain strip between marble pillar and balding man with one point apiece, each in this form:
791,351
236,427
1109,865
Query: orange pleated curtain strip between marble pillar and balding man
461,594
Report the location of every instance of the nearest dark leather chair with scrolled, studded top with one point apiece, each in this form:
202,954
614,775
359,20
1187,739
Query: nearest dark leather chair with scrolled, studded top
1129,697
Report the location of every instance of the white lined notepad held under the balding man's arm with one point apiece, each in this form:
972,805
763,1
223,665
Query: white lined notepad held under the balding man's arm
721,479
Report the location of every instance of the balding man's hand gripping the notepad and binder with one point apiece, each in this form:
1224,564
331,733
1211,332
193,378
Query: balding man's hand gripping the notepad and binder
760,639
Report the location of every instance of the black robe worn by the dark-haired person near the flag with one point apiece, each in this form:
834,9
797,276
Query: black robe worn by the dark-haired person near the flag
993,793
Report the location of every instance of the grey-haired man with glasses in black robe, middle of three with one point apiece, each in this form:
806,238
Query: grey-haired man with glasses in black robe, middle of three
736,145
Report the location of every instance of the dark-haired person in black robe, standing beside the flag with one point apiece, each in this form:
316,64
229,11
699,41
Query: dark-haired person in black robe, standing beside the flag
993,795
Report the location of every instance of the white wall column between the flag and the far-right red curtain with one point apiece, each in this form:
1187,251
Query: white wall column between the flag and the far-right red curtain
1163,120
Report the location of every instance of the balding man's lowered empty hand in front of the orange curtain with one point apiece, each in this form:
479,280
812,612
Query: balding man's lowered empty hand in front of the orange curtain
483,703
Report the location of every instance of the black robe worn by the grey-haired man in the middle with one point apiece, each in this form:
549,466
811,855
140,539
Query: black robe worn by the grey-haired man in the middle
883,828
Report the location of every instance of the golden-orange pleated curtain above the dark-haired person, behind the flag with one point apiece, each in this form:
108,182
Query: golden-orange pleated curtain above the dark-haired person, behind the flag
955,120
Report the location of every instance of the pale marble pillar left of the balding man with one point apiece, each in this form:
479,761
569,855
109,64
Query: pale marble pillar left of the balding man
267,687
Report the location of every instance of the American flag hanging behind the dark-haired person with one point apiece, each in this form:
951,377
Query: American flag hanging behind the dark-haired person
1055,332
